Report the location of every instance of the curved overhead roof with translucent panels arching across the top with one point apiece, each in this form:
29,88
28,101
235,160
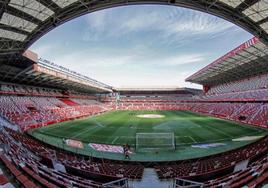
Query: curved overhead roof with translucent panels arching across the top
22,22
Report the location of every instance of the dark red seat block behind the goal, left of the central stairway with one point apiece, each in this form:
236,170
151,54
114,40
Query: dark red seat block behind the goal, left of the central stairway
108,168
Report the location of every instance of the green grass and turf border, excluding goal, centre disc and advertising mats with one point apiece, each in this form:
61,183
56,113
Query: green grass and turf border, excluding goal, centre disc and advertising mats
120,127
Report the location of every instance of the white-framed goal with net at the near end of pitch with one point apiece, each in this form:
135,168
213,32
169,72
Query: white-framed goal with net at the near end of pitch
155,141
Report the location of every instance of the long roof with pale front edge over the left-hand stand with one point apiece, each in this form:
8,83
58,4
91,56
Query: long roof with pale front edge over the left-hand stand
40,72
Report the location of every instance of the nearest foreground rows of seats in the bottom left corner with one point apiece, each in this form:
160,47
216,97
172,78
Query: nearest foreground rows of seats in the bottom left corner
28,171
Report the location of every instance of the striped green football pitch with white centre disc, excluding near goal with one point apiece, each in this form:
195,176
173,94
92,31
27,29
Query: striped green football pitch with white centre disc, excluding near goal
121,127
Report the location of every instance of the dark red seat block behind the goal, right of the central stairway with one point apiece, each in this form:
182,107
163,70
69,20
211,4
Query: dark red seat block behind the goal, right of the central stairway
210,165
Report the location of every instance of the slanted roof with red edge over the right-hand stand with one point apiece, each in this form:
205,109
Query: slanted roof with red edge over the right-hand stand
248,59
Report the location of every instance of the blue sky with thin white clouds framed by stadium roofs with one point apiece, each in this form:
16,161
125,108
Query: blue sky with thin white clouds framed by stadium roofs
140,46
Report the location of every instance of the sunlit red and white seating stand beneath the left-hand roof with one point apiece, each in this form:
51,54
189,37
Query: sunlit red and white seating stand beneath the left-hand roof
32,112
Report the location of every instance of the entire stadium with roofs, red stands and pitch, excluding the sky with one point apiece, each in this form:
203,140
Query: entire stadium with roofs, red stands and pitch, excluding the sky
60,128
